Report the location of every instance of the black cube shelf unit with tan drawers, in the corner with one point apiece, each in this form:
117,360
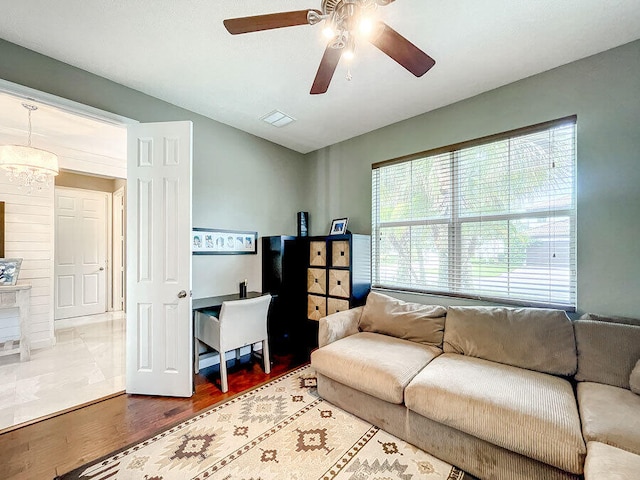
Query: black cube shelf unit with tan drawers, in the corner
310,278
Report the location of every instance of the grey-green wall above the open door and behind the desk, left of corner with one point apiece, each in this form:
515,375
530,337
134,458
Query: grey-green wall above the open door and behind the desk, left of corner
240,181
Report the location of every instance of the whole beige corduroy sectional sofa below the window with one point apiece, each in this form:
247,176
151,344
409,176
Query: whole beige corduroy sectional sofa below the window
502,393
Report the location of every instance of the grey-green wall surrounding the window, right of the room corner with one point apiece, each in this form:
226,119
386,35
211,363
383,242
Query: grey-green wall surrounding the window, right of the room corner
604,92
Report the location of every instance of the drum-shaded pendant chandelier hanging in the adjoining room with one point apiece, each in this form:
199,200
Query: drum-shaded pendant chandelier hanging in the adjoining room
28,166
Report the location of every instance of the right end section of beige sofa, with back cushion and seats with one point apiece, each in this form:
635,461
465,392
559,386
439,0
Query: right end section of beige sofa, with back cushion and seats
608,353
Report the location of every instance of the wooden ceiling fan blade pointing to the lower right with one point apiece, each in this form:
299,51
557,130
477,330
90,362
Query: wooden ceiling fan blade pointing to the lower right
402,50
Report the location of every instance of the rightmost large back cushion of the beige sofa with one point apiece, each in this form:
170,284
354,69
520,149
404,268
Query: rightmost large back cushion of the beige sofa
607,351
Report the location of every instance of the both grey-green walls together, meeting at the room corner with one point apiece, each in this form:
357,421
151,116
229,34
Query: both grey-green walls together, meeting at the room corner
243,182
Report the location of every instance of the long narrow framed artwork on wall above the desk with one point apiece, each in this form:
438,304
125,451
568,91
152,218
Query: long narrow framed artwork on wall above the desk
212,241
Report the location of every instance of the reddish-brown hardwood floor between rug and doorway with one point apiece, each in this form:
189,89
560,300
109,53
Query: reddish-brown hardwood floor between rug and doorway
58,445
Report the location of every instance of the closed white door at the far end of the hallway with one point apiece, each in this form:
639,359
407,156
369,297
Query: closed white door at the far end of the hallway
80,252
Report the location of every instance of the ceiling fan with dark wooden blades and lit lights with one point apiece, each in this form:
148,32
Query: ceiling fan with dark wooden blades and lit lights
345,20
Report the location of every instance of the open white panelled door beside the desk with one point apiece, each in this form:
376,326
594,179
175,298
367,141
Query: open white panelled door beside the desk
159,326
